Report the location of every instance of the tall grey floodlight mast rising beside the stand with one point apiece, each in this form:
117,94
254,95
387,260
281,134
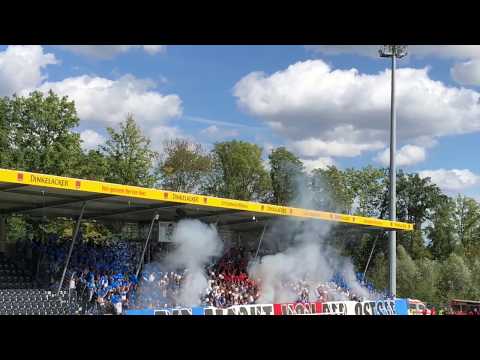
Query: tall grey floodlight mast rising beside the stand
394,52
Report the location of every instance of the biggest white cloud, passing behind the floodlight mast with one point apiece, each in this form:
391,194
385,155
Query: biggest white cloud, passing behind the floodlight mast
326,111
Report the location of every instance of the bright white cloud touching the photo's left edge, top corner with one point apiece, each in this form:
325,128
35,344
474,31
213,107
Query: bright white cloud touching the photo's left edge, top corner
21,67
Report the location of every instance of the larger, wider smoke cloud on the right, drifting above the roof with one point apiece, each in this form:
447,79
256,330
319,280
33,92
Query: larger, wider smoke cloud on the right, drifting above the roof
304,256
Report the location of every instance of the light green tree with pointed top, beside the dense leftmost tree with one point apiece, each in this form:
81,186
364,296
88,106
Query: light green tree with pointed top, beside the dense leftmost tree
129,156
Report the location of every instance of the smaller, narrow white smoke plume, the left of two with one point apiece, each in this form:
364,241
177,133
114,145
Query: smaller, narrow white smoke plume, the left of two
196,244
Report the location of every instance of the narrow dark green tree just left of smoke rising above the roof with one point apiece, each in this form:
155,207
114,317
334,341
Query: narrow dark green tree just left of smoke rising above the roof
285,172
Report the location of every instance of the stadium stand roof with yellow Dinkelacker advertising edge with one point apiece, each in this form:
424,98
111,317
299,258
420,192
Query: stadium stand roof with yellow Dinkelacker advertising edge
55,196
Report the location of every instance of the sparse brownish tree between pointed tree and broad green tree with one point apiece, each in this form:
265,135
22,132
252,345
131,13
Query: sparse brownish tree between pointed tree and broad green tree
184,167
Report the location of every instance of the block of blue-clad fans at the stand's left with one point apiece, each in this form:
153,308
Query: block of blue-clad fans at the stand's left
101,278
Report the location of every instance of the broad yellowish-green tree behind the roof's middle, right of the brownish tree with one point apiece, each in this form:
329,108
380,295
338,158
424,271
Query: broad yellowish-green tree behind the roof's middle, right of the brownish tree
238,171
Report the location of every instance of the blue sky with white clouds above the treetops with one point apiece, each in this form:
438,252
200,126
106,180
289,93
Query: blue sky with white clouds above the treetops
329,103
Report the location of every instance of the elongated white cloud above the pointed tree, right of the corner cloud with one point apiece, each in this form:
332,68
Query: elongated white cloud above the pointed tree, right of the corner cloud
108,102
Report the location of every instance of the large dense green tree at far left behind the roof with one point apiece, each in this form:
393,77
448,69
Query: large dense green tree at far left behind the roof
40,133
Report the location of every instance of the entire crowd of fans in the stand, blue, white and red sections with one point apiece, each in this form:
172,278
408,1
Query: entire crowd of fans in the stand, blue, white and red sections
102,279
